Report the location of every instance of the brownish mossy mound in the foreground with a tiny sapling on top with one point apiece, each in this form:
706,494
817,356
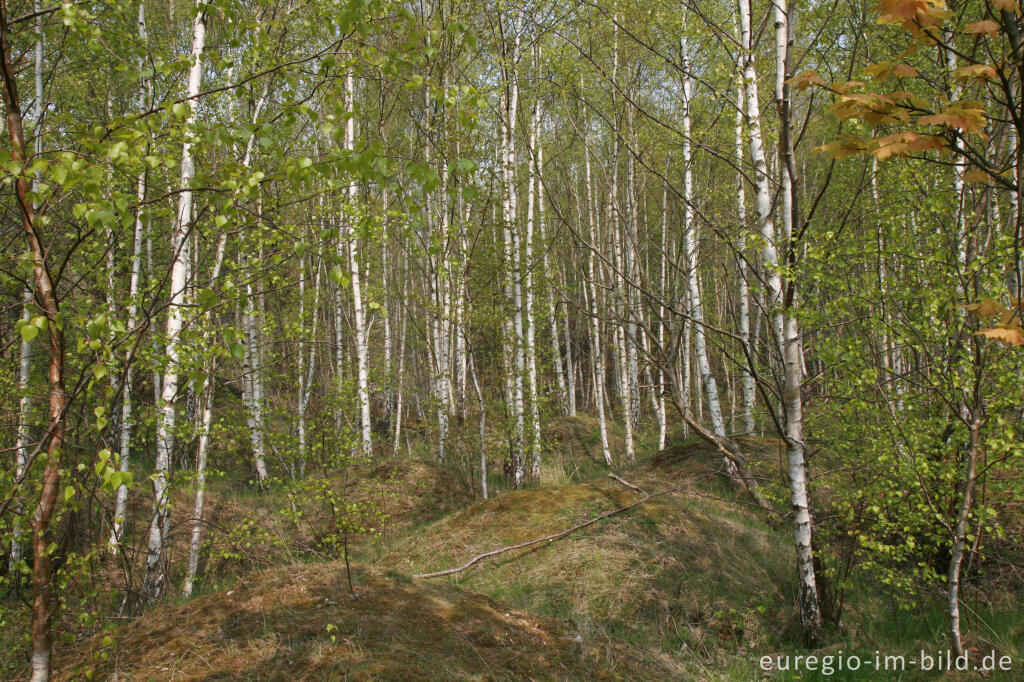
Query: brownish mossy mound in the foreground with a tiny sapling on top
303,623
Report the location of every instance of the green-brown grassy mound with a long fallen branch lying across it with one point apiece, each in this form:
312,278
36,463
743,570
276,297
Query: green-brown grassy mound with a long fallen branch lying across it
691,574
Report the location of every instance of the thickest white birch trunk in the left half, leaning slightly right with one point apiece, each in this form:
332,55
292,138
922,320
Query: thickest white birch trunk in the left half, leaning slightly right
155,570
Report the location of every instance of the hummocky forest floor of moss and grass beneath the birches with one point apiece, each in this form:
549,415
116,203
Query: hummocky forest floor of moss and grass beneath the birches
690,585
